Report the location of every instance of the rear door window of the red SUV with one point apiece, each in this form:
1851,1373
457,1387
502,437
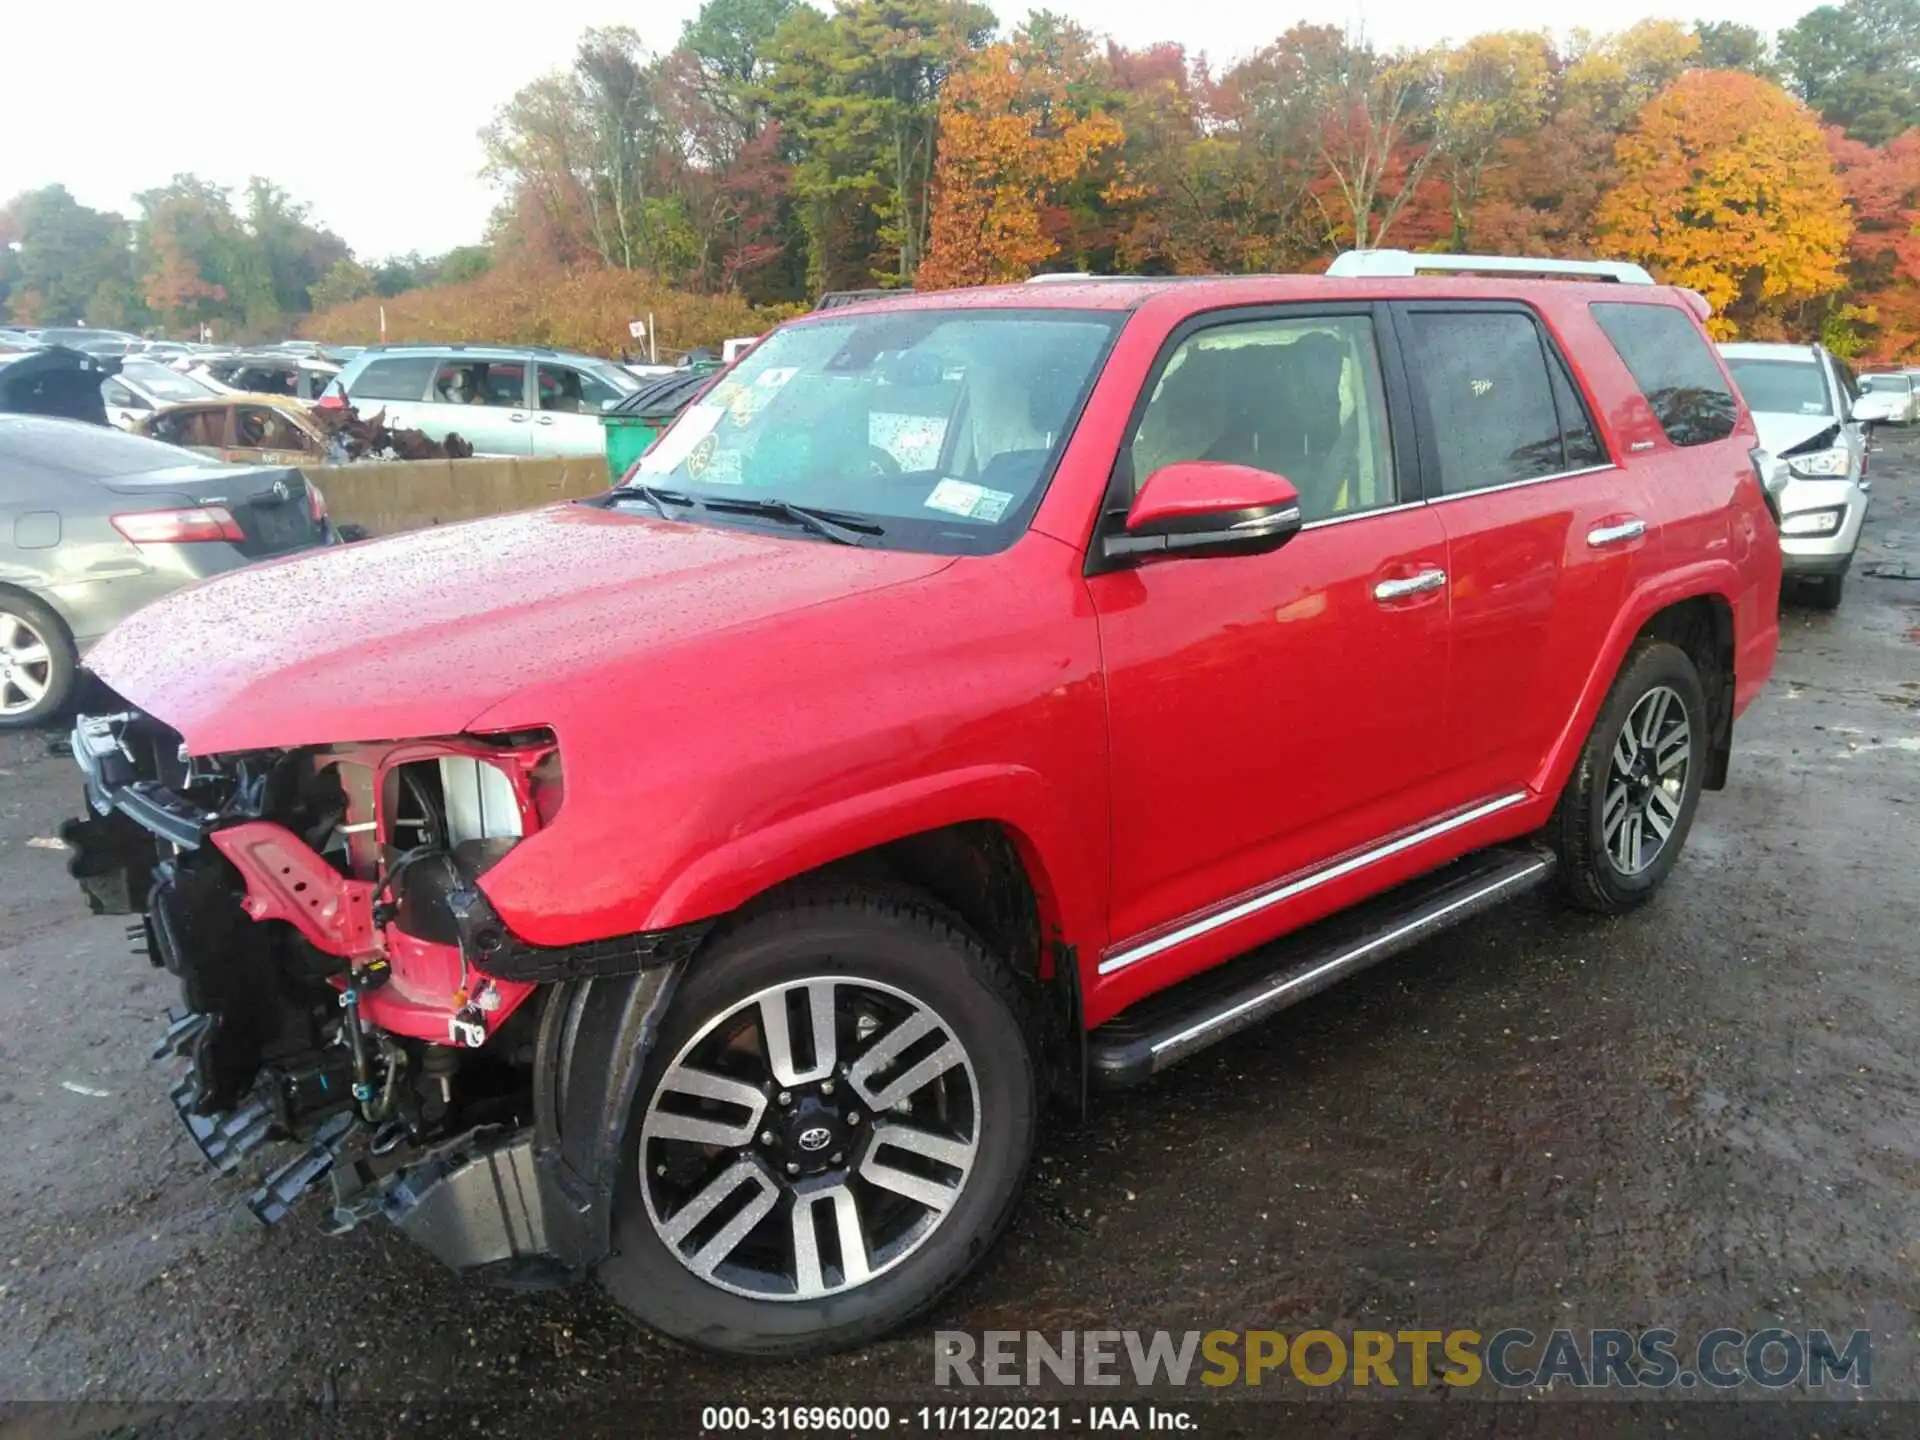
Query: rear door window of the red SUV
1497,400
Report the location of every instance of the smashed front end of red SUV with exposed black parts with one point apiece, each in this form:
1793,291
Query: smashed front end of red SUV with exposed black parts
348,984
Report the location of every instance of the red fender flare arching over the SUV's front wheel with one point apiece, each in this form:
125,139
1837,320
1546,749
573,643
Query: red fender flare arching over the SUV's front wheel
1017,798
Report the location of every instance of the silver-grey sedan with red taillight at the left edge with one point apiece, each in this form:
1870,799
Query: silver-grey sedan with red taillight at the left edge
97,523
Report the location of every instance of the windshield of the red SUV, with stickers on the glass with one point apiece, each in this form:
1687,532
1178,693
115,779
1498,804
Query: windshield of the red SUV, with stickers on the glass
936,425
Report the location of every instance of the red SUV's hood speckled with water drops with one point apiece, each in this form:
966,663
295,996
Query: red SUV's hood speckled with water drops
421,635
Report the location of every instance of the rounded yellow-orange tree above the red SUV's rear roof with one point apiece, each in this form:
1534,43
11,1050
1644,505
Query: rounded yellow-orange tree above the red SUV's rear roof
1725,187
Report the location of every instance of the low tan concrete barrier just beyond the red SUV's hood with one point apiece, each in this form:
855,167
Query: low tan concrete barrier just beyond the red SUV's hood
391,496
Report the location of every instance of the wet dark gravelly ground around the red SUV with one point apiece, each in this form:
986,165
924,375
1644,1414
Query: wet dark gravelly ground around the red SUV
1702,1115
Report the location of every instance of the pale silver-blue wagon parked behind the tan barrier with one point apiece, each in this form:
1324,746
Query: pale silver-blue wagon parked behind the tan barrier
504,400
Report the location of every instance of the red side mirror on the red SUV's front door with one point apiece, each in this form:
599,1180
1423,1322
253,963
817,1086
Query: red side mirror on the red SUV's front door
1207,508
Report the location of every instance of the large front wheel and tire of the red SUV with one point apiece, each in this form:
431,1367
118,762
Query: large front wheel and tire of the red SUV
830,1132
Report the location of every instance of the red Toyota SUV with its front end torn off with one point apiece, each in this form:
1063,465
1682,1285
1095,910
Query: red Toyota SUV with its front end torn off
972,700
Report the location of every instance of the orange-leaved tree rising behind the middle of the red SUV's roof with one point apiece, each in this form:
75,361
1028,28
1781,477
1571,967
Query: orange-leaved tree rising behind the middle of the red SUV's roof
1009,143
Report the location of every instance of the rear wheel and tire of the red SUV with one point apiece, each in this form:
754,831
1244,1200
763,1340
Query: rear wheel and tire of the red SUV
1629,805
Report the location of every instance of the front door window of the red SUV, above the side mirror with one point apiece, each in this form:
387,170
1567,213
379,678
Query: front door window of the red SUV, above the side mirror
1299,398
